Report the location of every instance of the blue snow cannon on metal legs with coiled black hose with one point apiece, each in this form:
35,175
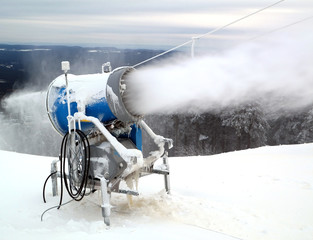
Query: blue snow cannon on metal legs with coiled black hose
102,142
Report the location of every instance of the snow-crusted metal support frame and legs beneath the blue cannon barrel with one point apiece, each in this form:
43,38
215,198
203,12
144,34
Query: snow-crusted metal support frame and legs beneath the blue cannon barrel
135,164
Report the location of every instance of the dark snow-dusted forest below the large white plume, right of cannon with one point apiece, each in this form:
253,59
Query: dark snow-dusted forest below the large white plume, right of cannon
233,129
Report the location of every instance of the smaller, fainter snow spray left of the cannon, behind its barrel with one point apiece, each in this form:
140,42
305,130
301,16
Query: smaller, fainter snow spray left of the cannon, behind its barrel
25,126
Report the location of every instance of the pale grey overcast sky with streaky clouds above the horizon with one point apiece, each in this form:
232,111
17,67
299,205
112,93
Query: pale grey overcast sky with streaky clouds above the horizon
141,23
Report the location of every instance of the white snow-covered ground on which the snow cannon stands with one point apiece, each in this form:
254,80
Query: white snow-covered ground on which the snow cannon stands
264,193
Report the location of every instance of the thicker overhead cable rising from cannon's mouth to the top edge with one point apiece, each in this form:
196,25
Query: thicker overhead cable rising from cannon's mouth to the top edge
208,33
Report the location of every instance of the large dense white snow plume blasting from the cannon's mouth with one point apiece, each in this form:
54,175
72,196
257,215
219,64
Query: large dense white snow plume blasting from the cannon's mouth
278,74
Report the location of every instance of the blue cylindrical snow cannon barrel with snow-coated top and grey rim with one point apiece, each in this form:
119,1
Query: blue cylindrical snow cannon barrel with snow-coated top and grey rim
100,95
